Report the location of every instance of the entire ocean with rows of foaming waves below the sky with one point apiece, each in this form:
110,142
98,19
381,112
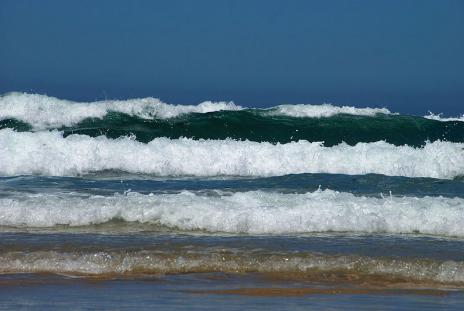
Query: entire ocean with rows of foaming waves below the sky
136,204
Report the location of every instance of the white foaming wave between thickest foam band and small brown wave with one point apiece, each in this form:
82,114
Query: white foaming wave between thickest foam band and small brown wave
254,212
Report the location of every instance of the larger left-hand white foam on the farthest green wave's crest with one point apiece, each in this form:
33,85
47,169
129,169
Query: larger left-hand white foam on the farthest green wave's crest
43,112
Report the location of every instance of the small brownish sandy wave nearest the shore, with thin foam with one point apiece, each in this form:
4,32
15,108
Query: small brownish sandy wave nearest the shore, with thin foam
133,262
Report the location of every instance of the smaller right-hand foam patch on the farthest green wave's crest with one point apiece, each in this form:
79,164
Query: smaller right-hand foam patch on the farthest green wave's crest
324,110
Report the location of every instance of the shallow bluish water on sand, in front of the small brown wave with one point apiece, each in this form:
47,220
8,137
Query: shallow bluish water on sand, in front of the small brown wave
202,291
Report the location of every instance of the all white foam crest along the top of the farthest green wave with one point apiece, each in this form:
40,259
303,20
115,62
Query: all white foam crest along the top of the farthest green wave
43,112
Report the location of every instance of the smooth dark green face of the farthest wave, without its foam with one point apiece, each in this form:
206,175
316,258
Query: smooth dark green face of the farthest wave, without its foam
256,126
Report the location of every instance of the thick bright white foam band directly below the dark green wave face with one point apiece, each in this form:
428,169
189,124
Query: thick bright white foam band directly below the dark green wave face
48,153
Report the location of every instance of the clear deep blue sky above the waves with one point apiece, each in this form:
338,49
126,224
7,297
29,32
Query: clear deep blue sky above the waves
406,55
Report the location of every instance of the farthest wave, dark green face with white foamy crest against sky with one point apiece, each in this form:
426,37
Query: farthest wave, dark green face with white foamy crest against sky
149,118
